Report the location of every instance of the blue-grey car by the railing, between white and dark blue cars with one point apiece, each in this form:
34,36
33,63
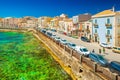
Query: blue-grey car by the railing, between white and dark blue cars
99,59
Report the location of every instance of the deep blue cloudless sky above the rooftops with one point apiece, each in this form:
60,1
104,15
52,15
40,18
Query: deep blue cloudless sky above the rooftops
52,8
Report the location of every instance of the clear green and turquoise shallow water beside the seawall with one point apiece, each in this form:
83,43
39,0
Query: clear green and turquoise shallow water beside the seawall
22,57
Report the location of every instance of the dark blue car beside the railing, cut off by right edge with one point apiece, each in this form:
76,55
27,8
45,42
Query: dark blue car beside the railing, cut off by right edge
114,66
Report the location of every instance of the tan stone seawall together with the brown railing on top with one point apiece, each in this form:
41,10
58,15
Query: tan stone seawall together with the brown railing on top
82,67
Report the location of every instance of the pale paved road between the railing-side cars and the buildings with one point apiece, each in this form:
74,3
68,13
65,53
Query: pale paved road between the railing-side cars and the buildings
111,56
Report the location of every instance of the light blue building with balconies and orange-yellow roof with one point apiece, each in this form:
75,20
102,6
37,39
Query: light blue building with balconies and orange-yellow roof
106,27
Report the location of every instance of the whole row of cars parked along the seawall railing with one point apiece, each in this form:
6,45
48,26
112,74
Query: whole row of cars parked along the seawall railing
114,66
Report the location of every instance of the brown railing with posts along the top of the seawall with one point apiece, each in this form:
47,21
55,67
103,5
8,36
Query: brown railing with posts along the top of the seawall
103,71
